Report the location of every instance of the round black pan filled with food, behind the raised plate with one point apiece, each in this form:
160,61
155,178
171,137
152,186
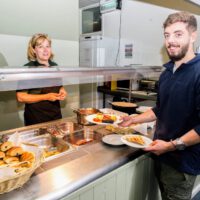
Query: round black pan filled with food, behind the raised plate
126,107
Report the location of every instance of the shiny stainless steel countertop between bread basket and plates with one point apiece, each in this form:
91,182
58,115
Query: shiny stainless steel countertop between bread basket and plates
61,176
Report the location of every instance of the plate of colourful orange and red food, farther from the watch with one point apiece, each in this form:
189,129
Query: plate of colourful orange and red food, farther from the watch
103,119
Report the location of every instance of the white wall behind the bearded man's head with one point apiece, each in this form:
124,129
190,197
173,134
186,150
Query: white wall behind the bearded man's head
143,24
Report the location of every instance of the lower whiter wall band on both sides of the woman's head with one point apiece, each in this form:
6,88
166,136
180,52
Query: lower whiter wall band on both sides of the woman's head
14,49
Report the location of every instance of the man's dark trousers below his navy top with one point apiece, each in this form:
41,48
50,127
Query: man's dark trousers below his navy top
174,185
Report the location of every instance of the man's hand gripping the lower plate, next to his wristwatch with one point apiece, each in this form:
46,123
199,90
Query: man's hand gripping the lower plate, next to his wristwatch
159,147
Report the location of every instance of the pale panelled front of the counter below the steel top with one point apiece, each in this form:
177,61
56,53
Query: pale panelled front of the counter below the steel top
132,181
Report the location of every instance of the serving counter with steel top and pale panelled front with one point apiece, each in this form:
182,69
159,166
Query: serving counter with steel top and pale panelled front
94,171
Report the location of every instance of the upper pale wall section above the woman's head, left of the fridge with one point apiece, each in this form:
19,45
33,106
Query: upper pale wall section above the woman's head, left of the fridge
58,18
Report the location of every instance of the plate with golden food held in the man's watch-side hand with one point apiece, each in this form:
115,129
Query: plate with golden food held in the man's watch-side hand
137,141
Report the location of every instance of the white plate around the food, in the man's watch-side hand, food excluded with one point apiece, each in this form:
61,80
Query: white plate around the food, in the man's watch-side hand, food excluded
147,141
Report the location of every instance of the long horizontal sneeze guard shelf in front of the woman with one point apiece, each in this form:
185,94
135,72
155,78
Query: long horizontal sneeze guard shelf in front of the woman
24,78
